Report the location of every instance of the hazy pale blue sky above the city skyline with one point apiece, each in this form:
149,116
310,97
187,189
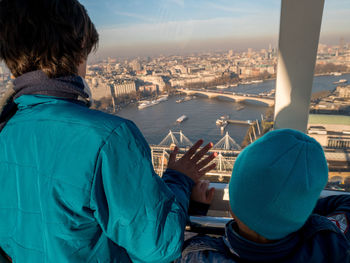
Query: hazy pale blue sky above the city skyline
153,27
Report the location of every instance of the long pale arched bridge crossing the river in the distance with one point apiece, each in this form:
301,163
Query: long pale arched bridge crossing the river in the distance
270,101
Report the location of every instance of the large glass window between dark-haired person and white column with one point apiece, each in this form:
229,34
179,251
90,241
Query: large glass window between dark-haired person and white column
183,71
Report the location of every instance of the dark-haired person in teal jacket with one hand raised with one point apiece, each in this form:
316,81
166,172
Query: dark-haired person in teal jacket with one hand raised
78,185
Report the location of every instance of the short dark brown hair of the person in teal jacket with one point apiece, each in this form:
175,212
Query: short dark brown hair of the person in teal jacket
54,36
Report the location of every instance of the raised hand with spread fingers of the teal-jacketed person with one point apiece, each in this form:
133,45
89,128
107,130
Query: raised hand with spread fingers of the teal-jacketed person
190,163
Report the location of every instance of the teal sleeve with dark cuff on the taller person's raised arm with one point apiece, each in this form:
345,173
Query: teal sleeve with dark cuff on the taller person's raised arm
135,208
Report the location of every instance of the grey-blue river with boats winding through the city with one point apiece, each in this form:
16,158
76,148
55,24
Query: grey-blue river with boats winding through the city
155,122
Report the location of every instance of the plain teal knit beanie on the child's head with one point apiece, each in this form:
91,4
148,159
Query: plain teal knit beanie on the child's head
276,182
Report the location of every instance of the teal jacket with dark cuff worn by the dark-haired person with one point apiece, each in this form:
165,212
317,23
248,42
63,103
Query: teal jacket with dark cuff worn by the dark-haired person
77,185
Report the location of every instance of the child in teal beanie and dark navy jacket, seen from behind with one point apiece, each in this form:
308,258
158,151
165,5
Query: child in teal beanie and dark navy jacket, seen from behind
274,190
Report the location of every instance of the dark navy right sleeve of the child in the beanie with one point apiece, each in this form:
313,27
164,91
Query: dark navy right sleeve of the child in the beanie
337,209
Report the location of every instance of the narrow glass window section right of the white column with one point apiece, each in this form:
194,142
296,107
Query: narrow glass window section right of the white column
329,121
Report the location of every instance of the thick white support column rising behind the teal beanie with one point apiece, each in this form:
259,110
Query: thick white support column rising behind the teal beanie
298,41
